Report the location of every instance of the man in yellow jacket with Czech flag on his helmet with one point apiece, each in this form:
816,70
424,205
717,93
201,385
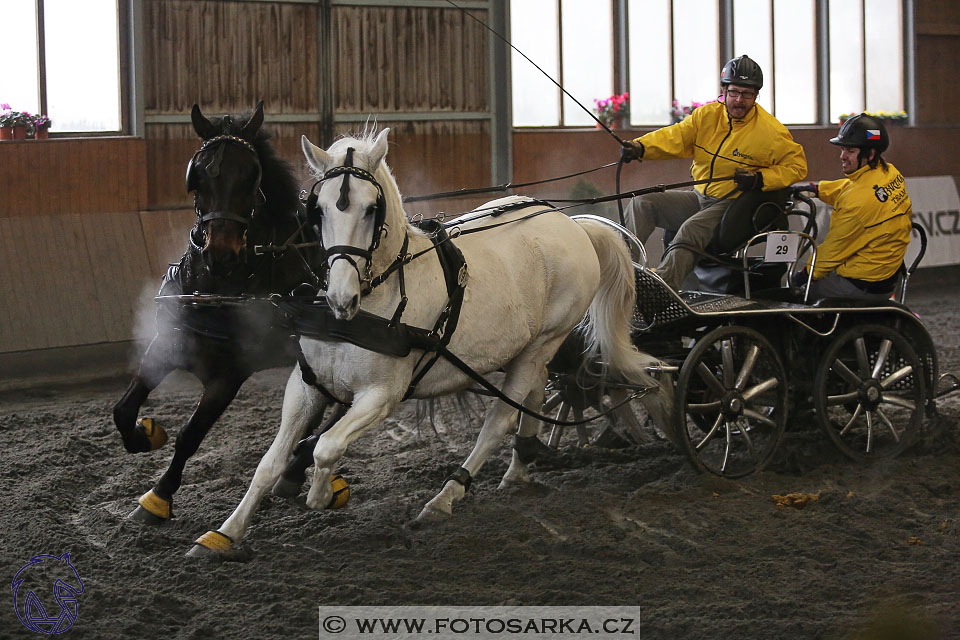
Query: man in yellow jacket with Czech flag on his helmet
871,221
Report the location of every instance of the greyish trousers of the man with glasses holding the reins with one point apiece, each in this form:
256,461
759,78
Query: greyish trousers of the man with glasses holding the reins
692,216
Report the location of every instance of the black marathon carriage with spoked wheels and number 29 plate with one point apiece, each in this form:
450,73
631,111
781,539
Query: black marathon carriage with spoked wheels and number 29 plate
749,361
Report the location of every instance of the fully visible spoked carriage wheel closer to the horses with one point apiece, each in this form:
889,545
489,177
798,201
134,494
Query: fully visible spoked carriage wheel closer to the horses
731,402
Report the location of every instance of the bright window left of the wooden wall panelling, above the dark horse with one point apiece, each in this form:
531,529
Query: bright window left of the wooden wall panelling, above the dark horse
69,63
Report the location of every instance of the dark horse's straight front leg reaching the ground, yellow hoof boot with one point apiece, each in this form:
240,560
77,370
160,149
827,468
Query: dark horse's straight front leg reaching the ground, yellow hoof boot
156,506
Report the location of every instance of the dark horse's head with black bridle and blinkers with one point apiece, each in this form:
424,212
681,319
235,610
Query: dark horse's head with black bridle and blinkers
224,176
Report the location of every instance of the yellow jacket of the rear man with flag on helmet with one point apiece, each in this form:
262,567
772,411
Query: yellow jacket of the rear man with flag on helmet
870,225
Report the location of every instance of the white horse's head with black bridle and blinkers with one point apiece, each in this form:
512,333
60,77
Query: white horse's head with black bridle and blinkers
348,207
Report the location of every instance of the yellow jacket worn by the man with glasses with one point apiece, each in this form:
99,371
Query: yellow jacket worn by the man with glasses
719,144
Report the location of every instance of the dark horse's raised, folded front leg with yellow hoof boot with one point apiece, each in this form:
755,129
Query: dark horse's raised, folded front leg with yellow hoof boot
154,367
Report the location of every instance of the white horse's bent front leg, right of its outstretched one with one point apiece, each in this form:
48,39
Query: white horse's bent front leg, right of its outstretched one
368,409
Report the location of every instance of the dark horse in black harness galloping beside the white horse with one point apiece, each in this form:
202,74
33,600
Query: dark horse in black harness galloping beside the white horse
244,196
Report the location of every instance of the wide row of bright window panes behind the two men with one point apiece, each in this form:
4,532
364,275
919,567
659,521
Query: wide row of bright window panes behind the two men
673,51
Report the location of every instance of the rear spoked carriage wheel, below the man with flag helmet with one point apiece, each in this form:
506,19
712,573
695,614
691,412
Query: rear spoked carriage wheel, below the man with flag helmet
869,393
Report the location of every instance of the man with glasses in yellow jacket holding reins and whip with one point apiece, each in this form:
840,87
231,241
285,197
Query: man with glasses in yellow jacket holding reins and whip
736,137
